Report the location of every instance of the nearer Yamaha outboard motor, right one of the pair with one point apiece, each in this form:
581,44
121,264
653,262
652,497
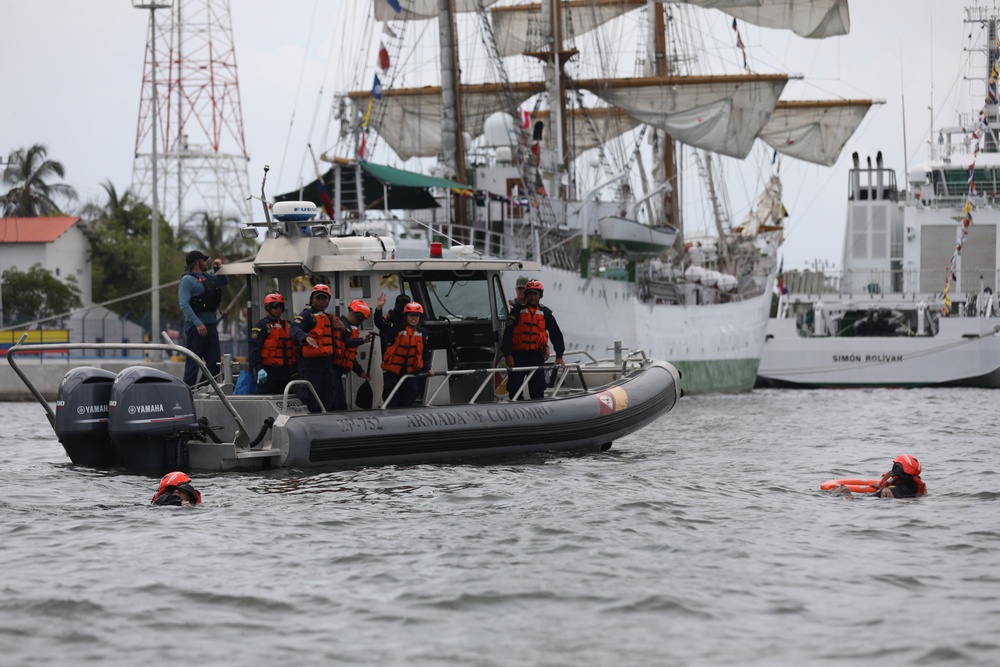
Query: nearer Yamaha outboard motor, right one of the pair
151,417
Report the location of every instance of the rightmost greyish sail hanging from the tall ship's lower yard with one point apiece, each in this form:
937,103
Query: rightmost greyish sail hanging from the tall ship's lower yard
814,131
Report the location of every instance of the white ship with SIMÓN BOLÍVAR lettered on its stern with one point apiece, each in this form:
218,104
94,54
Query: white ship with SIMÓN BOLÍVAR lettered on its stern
915,303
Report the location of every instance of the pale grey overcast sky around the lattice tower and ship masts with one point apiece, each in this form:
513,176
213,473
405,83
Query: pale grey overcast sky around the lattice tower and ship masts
70,76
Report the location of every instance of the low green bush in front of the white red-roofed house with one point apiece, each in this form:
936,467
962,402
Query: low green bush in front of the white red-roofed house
36,294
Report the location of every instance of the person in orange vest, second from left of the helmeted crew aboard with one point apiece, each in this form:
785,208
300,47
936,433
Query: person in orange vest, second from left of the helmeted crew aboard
313,330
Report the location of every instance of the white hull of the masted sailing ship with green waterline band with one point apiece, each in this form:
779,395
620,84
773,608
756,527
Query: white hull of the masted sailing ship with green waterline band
717,347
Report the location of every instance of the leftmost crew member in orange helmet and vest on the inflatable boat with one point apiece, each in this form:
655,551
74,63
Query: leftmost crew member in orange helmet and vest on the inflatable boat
272,348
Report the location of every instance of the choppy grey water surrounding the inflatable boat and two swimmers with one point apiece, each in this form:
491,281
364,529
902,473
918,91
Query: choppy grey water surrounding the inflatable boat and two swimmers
702,540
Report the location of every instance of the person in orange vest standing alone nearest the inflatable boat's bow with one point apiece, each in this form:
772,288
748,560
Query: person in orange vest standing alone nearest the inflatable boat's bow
526,341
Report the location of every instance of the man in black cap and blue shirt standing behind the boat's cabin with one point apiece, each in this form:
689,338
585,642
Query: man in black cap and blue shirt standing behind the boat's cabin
199,295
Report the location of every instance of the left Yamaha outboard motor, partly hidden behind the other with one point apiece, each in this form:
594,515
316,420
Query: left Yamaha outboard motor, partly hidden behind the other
82,416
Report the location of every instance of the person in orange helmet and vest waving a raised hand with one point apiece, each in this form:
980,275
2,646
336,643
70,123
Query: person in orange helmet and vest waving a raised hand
407,353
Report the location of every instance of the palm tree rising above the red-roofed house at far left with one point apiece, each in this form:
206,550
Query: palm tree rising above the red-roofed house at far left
31,197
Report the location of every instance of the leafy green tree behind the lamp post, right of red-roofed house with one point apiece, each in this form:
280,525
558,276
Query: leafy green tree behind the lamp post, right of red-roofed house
121,255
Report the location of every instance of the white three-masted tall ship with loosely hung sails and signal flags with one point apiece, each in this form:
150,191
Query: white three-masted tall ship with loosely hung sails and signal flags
579,134
